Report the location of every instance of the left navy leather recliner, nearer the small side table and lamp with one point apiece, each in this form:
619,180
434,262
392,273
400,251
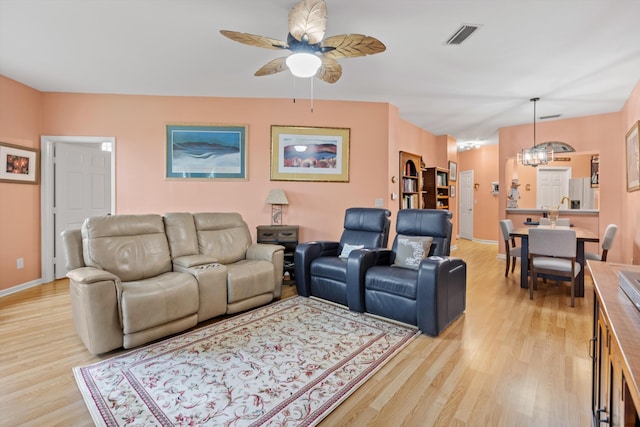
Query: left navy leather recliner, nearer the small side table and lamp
320,270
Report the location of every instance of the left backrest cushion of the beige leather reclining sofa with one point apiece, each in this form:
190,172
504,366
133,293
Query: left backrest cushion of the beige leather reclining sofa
133,247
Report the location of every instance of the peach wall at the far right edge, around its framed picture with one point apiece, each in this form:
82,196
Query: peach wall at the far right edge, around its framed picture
629,232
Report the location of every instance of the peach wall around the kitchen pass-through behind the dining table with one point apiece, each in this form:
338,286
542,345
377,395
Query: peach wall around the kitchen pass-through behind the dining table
593,134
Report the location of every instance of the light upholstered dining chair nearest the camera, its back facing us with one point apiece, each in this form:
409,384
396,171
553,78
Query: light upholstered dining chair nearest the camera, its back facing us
553,252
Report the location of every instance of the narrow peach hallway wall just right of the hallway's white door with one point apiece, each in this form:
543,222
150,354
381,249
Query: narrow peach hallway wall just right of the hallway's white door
484,163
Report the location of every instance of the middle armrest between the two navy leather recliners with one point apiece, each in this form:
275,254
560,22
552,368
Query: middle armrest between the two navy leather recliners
357,264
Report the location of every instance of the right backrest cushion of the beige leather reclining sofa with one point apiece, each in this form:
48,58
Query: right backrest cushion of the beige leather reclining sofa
223,236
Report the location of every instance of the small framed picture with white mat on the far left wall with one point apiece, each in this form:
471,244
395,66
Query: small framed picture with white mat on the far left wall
19,164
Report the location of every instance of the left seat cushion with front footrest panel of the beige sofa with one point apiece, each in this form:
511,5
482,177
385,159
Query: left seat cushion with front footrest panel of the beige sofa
162,299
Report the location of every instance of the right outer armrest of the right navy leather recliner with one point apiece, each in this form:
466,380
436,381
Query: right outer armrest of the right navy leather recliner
441,293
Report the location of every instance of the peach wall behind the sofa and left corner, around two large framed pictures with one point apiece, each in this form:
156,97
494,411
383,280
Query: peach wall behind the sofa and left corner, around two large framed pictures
138,124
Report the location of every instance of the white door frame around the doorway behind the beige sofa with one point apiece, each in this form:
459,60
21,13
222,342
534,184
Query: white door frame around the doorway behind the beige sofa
47,211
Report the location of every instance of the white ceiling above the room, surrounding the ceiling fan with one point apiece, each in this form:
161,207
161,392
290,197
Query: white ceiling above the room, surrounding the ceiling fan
581,57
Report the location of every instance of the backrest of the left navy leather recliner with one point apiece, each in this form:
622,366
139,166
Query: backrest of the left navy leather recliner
366,226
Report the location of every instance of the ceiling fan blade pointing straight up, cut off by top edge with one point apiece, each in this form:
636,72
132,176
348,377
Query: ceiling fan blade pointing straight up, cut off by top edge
308,21
